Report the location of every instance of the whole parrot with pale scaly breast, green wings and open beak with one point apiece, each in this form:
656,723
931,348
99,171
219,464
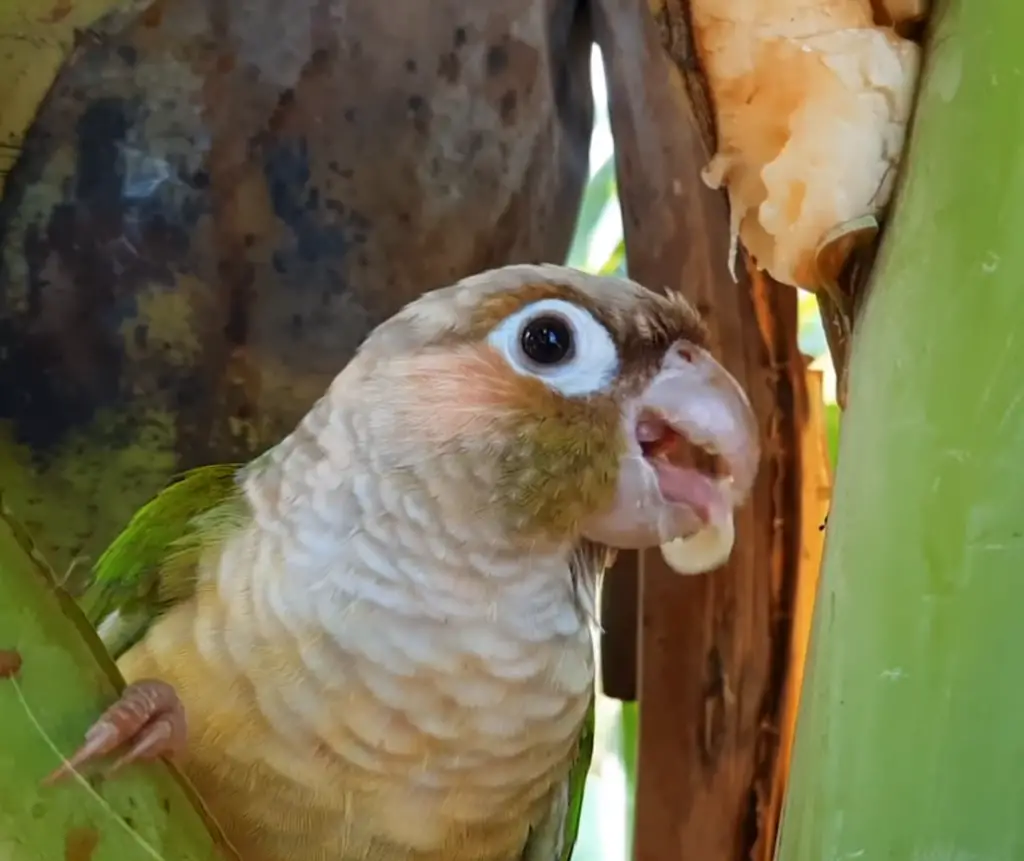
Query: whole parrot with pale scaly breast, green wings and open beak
374,642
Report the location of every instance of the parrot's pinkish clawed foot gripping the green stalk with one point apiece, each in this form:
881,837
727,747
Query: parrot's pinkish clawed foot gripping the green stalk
149,719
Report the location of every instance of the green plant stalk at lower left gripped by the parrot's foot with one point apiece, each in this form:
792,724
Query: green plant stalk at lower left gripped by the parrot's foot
64,682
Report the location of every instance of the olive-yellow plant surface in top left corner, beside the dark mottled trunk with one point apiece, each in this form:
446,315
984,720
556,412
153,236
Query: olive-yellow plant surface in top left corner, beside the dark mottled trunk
36,38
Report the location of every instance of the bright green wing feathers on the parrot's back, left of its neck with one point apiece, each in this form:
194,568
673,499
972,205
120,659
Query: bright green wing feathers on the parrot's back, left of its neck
152,566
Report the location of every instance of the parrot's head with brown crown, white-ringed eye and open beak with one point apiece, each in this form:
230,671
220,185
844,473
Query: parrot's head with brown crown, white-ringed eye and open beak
575,407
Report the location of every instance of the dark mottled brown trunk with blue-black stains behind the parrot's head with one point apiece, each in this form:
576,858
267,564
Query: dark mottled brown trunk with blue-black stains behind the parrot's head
221,198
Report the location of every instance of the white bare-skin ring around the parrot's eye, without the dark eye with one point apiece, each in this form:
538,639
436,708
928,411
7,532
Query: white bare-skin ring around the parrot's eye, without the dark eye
588,368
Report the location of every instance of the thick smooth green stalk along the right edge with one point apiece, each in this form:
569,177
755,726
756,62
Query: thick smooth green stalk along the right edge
910,737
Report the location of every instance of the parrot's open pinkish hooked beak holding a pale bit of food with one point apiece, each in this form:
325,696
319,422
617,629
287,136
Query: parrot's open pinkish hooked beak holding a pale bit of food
692,460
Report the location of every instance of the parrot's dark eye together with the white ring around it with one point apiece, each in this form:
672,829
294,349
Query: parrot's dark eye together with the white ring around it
560,343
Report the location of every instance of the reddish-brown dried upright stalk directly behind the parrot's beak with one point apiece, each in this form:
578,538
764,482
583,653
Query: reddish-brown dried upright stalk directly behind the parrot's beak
713,650
